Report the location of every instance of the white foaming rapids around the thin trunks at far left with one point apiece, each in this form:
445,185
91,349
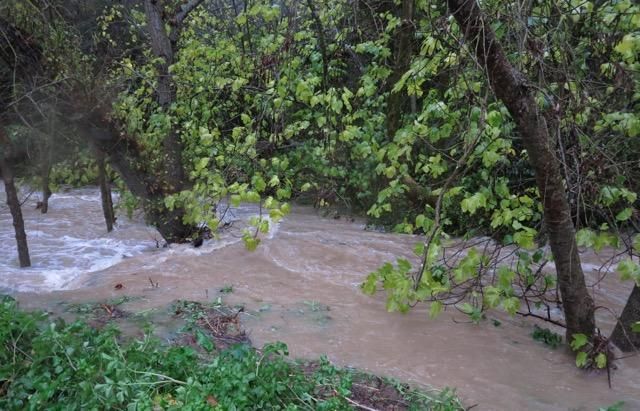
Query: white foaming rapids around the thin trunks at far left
68,241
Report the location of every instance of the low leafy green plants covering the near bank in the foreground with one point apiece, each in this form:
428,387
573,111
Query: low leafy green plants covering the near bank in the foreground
47,364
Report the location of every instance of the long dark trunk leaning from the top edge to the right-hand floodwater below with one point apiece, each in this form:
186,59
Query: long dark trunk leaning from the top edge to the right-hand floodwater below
510,86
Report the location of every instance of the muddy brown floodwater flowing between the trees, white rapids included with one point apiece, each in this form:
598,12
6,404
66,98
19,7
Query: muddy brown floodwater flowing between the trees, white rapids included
301,286
